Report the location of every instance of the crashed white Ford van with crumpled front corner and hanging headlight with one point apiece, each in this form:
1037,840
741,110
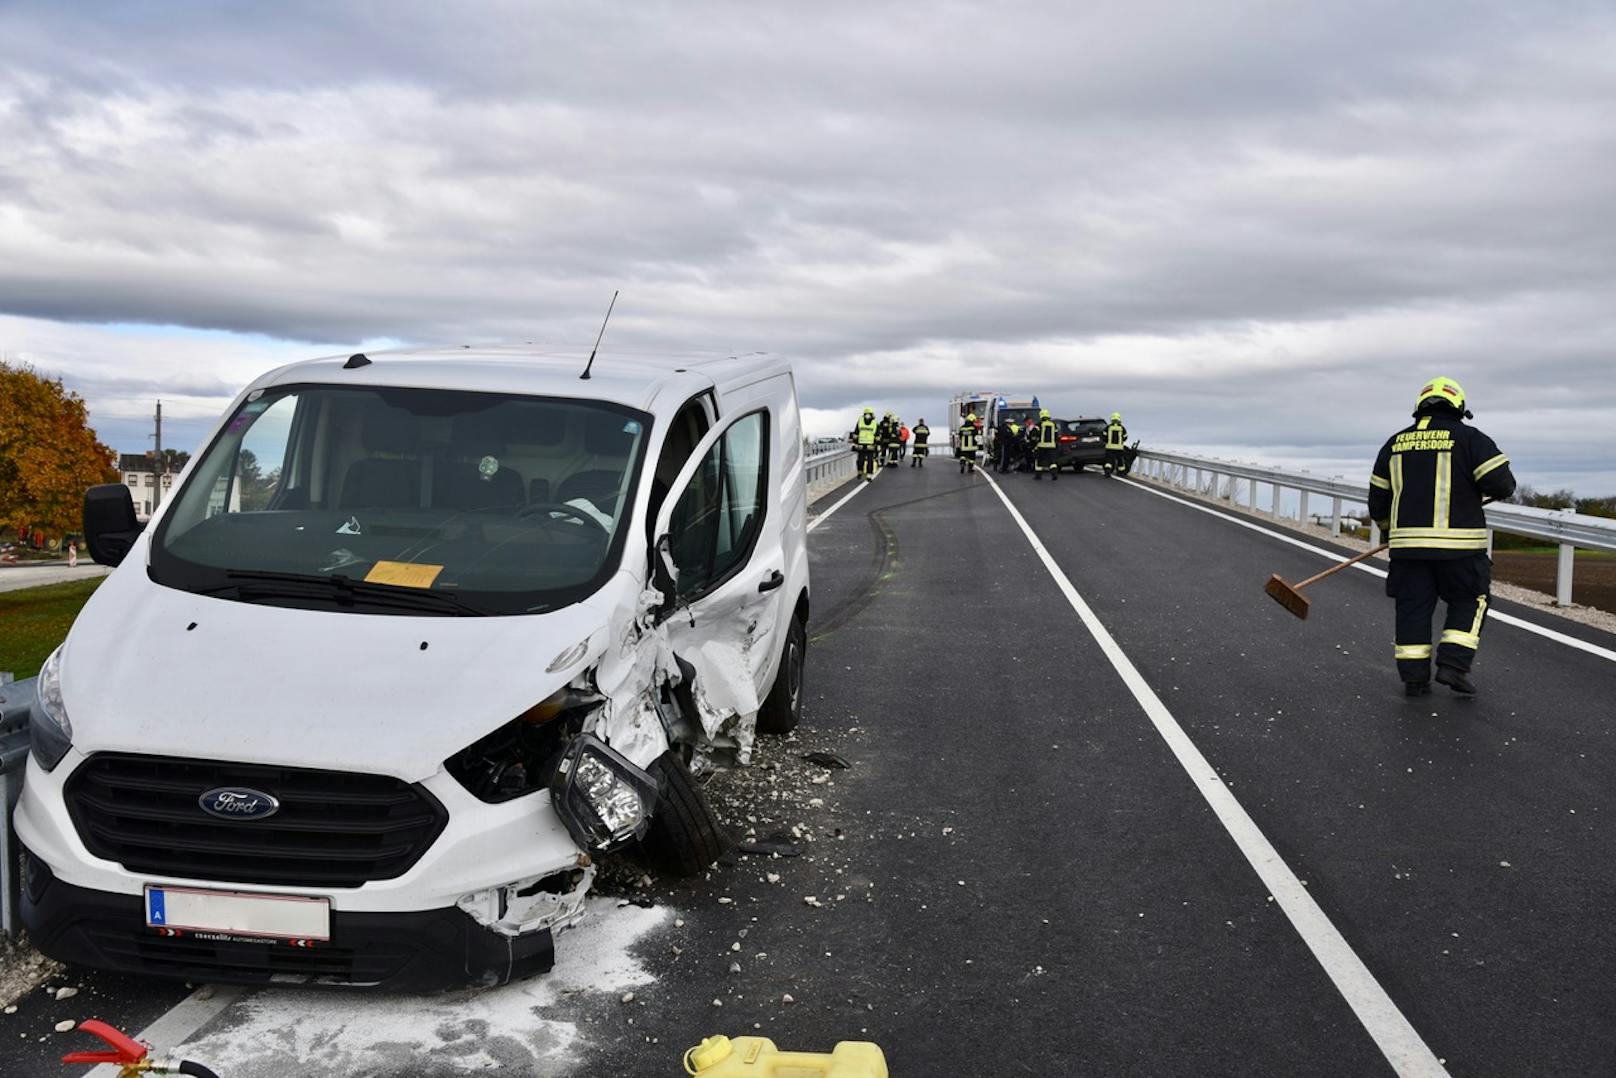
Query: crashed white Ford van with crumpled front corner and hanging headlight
416,638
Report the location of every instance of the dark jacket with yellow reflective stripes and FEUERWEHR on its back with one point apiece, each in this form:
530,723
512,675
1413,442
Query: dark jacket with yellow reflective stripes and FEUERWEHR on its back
1429,482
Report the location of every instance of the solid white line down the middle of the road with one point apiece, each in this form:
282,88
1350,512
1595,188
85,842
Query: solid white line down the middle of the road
1392,1034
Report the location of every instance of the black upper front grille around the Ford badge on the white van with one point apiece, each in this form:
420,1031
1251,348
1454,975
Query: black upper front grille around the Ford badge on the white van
334,828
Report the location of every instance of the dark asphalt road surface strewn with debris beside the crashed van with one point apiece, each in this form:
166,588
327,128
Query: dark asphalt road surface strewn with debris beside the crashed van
1019,877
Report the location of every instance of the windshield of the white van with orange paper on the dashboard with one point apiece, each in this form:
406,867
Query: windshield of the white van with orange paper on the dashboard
415,502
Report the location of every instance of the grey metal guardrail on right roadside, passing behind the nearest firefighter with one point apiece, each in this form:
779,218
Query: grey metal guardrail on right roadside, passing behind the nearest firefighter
1224,479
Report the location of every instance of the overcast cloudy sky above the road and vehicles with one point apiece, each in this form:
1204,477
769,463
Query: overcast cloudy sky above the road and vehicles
1255,229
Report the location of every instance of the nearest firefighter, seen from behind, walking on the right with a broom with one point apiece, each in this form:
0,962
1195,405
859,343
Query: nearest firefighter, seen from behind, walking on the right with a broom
1426,492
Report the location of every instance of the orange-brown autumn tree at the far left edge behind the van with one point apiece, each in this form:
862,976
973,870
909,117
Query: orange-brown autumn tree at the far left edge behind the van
49,455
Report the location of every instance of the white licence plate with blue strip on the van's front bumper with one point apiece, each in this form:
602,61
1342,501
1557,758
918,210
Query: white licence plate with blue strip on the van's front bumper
237,914
